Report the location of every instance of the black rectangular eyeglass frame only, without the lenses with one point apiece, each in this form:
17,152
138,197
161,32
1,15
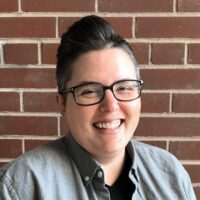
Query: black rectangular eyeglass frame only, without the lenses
110,87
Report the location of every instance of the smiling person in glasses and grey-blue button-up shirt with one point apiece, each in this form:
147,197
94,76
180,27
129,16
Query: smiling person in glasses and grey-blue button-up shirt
99,96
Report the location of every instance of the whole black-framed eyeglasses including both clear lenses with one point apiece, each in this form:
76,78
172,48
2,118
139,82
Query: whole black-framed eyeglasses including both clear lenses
92,93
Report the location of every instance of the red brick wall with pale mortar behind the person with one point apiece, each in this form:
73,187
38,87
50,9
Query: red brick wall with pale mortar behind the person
165,35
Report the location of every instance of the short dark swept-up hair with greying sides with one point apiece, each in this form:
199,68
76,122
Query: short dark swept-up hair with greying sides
89,33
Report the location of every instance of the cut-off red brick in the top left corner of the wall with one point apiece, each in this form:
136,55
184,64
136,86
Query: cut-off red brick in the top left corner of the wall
9,6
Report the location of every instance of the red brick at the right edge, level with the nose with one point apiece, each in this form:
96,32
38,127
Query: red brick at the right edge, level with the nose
186,103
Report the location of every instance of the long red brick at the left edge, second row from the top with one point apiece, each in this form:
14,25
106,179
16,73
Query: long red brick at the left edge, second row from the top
29,27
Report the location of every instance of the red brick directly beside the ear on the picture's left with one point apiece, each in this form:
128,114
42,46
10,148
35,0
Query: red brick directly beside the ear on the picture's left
40,102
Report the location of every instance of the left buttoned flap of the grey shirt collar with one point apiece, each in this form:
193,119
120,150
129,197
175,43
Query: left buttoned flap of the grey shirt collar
86,165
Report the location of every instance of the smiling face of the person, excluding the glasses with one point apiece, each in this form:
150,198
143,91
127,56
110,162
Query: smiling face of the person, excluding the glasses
118,120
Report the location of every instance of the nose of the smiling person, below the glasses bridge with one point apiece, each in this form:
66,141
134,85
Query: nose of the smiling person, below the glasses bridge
109,103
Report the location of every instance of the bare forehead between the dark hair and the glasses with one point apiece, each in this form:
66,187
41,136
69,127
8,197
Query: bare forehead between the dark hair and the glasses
104,66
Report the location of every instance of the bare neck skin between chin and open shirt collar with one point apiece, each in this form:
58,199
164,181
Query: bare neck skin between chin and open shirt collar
112,167
